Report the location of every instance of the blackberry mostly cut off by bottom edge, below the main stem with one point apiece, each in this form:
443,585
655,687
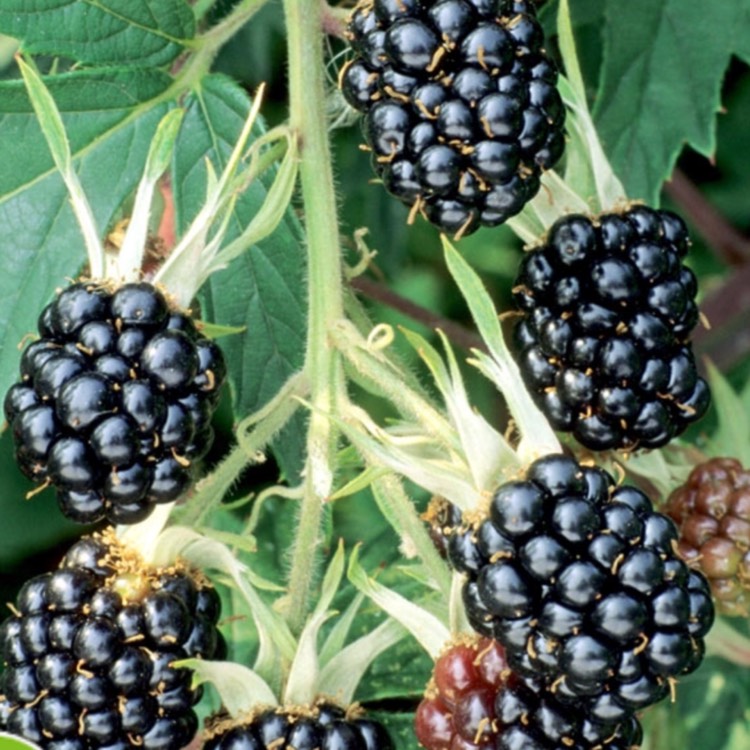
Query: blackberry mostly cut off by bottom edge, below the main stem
323,726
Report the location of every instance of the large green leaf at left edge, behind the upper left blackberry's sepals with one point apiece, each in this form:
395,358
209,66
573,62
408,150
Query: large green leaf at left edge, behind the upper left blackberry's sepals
110,117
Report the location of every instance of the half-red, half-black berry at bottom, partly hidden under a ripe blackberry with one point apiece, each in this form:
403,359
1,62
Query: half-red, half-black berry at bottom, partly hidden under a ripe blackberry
474,700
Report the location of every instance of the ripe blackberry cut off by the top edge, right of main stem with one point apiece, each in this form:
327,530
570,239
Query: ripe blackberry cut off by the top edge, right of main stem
461,107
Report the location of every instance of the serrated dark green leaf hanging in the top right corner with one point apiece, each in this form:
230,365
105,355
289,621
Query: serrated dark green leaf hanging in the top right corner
664,62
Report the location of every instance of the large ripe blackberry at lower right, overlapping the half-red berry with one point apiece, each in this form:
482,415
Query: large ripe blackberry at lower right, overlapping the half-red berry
578,580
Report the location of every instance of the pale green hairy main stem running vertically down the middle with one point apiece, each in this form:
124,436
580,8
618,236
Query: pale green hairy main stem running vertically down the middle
308,121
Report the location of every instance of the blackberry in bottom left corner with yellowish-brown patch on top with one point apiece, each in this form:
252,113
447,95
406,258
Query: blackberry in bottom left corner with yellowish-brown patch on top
88,652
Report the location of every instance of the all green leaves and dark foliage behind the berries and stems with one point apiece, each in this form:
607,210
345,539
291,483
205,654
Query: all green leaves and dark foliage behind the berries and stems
657,72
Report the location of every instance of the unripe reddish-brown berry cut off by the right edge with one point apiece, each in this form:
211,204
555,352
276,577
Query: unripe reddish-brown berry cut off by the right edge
712,511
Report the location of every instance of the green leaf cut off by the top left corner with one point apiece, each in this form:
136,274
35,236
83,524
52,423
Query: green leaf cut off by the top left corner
130,32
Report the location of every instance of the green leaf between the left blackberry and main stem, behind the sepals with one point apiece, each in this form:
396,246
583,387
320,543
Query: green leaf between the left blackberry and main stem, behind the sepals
263,289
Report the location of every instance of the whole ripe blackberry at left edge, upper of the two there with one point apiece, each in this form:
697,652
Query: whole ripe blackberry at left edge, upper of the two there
114,402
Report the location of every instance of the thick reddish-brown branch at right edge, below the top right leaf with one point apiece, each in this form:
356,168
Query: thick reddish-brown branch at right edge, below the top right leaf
730,245
